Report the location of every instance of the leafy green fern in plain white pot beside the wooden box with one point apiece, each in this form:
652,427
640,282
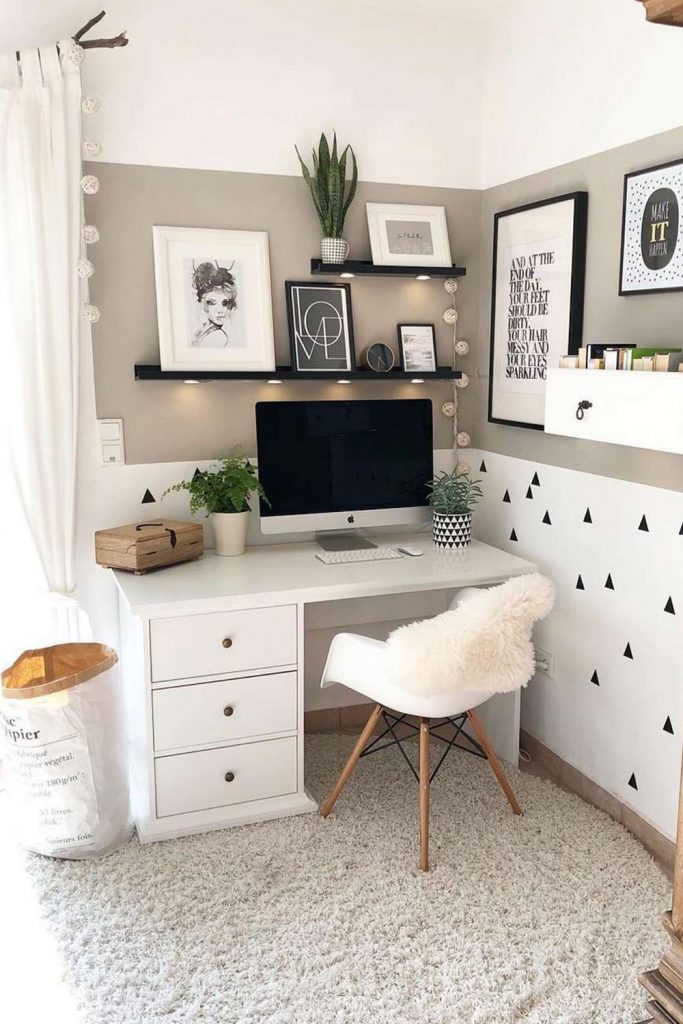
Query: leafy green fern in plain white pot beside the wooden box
225,493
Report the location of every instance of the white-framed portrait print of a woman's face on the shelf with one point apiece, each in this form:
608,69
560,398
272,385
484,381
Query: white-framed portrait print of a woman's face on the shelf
214,300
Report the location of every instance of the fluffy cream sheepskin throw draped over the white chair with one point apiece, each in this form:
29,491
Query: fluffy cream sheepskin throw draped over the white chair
486,643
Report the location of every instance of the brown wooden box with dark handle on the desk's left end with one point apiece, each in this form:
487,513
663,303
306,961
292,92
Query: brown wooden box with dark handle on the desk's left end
144,546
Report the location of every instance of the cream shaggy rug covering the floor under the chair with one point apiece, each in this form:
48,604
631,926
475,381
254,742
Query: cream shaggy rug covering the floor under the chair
543,919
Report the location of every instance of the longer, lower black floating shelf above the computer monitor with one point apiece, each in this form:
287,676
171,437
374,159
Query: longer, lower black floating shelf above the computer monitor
286,374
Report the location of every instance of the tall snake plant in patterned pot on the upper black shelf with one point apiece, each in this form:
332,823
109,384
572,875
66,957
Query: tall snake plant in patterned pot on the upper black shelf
332,195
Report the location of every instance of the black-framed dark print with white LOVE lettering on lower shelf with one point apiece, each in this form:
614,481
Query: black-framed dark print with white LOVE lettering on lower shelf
321,327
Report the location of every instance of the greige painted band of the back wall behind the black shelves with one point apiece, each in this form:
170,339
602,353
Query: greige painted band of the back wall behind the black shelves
168,422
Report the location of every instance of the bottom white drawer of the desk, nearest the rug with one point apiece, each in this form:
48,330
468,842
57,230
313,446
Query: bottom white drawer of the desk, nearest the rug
202,781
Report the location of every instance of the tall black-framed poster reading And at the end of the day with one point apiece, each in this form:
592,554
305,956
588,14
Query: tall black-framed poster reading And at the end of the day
537,303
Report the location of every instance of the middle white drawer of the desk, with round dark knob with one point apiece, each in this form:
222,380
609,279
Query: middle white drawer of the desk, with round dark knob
226,710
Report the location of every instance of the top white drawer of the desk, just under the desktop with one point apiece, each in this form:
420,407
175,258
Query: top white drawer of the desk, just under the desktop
223,643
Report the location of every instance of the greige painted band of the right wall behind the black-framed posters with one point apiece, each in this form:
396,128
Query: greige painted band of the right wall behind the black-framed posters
641,319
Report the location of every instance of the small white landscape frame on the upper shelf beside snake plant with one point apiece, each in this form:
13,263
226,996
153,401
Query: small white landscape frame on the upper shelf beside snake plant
403,235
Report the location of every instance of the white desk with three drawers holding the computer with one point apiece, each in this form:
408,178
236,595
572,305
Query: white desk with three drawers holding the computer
212,656
